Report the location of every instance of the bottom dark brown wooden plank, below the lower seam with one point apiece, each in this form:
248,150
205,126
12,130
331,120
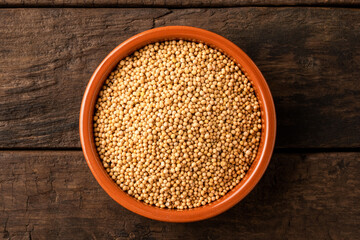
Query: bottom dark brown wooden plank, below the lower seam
52,195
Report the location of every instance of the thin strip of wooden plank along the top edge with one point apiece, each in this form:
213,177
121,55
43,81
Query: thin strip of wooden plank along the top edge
174,3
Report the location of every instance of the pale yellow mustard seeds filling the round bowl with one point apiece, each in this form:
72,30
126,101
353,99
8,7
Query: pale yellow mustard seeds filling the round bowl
177,124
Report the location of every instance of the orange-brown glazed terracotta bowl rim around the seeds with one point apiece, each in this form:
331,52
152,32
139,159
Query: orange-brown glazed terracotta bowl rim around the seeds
256,170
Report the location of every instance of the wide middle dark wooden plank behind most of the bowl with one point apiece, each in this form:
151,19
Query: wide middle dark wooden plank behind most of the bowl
309,56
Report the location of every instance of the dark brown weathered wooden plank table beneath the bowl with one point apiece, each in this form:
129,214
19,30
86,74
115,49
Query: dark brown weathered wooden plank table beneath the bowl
309,52
